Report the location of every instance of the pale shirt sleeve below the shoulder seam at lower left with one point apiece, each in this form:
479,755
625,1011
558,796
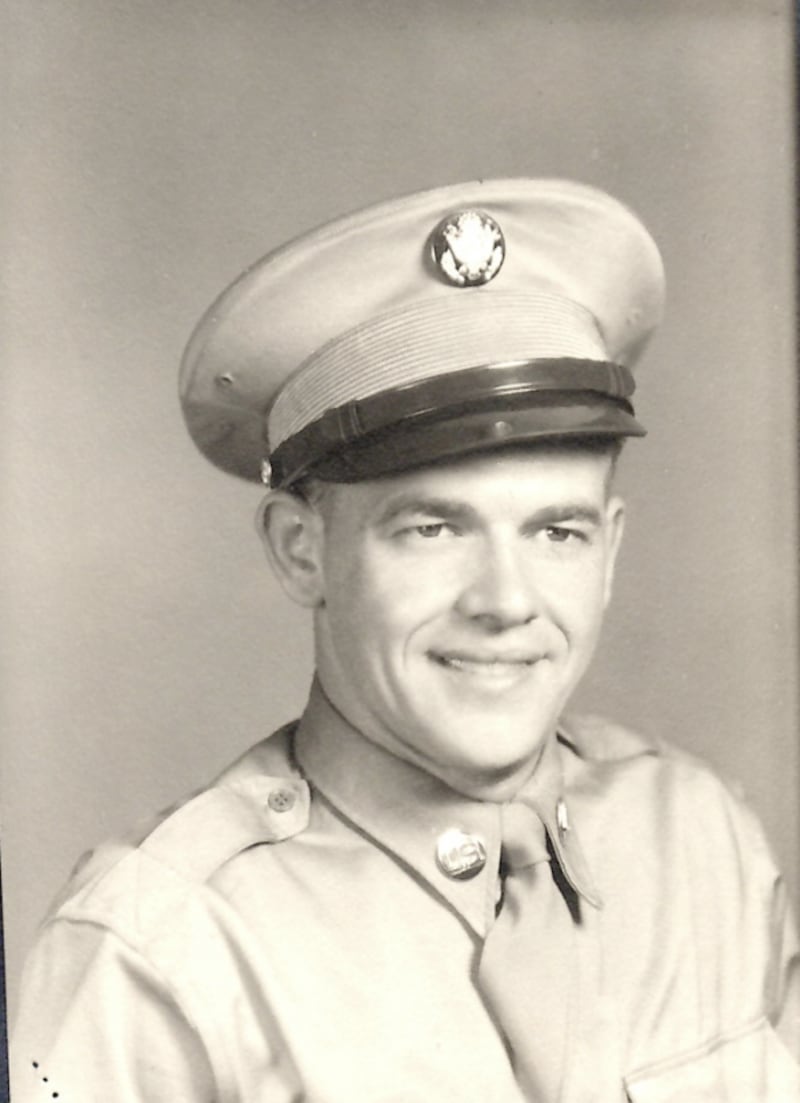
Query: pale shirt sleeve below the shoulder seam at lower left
98,1023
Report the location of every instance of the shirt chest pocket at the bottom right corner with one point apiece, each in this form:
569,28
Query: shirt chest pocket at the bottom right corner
751,1067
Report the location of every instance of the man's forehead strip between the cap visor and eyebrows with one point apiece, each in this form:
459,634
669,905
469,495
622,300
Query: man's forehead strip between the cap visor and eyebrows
494,481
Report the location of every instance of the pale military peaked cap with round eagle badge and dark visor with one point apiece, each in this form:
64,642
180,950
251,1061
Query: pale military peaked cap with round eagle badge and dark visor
446,323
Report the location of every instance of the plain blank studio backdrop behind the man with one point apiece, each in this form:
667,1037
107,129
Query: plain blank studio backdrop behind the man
153,152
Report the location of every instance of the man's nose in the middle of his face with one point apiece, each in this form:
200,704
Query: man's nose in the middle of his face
502,592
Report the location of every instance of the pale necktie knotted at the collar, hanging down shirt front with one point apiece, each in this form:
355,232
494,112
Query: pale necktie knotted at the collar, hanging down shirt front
528,965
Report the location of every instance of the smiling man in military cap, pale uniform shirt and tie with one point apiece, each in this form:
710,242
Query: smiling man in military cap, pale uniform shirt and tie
432,886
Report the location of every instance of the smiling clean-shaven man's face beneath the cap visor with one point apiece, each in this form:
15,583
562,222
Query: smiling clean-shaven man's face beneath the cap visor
463,605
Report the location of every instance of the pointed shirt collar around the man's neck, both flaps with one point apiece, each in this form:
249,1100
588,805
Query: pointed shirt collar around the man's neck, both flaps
407,810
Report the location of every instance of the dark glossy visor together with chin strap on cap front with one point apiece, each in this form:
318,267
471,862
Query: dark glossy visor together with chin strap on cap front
458,413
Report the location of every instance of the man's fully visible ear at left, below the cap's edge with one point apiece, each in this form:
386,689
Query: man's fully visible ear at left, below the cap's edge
294,533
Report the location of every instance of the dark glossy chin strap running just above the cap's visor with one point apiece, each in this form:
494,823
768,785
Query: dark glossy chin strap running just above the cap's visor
498,387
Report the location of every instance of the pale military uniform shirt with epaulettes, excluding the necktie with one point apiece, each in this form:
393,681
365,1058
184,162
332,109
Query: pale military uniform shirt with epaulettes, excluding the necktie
289,935
